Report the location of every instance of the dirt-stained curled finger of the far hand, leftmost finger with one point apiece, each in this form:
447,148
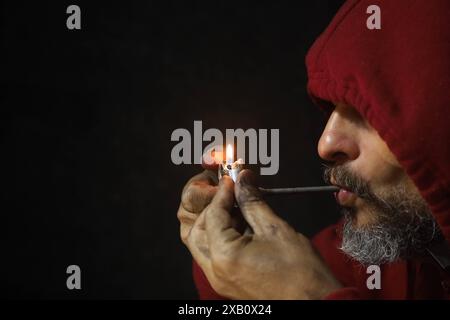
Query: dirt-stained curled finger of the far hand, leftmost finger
199,191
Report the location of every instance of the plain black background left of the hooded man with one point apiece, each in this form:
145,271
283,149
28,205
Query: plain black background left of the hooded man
87,117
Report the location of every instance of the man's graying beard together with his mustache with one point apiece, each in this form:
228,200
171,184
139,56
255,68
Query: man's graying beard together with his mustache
403,227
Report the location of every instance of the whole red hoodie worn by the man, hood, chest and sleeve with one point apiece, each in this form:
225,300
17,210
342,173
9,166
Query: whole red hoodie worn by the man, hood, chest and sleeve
398,78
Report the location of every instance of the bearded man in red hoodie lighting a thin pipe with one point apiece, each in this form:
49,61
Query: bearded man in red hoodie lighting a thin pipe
386,143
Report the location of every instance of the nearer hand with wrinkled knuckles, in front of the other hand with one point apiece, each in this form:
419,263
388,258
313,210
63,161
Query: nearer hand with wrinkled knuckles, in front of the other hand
272,262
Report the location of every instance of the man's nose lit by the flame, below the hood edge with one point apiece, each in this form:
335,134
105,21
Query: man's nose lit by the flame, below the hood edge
338,143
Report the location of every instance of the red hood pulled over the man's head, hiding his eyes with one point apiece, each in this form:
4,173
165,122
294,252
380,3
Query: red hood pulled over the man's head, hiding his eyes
398,78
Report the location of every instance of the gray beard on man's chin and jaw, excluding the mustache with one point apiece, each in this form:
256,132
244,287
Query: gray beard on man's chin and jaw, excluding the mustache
402,235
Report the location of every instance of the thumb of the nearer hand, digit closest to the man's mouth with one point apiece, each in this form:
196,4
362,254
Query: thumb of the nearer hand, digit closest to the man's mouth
255,210
